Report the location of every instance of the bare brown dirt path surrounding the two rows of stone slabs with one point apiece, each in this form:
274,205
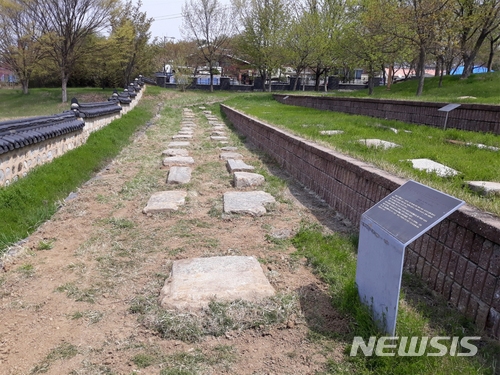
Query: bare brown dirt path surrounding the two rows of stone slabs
79,295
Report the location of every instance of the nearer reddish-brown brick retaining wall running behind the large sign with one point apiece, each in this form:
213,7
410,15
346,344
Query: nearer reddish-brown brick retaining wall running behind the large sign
459,258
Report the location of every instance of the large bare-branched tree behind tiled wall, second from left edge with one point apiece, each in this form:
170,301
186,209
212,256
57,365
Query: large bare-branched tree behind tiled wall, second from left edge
65,25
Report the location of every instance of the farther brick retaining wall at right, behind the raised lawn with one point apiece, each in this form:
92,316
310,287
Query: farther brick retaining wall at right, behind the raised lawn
472,117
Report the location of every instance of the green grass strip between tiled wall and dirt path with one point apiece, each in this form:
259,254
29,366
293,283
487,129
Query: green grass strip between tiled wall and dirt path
27,203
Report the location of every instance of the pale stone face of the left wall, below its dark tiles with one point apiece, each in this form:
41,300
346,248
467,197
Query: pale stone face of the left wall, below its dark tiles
18,162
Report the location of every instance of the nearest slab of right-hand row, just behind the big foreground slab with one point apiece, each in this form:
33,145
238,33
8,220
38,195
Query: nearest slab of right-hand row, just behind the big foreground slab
250,203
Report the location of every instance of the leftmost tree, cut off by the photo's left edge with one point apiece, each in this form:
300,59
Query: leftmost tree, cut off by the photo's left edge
19,48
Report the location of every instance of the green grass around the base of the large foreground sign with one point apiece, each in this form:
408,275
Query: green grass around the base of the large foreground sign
333,258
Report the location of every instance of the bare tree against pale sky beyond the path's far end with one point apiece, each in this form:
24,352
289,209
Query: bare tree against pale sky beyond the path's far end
211,25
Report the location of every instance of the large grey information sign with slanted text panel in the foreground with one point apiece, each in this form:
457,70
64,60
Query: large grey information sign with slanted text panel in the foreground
385,230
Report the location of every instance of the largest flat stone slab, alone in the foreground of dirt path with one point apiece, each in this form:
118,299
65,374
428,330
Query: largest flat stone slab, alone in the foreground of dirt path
193,283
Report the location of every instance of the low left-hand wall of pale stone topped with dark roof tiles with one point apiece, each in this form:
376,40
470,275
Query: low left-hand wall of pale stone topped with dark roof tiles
29,142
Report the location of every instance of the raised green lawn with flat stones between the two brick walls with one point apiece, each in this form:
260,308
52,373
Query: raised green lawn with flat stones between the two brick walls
415,142
